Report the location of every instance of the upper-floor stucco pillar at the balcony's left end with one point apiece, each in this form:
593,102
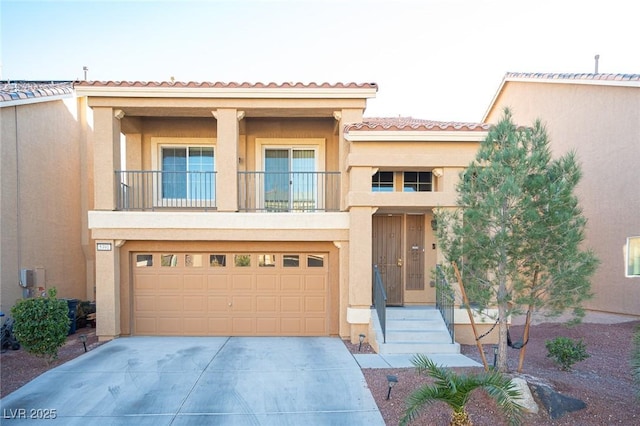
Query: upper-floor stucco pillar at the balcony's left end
106,154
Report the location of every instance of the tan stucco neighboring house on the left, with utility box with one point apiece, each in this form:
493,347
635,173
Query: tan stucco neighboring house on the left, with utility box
43,195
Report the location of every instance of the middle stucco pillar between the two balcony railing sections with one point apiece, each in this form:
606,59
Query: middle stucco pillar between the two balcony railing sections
227,158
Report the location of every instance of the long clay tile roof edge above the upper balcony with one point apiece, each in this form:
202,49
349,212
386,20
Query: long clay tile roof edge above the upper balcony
230,85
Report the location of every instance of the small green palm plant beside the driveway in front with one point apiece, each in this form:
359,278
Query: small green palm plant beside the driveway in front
455,390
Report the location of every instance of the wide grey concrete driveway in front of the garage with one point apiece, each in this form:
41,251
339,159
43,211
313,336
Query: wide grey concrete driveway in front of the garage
200,380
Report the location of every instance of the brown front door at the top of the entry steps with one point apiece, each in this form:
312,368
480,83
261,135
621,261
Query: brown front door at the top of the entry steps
387,254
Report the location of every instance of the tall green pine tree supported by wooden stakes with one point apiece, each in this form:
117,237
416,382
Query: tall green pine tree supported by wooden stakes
519,230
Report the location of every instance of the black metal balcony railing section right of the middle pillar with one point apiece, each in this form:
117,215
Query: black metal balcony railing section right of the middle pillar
289,191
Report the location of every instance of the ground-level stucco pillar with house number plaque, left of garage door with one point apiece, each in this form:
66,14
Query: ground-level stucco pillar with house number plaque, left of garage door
107,289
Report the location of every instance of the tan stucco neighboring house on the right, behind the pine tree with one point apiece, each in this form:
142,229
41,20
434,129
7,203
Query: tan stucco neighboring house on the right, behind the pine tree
598,117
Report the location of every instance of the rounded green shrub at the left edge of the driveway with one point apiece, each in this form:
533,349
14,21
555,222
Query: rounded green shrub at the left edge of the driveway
41,325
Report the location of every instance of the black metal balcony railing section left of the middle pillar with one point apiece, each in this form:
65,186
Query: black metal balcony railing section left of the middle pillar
154,189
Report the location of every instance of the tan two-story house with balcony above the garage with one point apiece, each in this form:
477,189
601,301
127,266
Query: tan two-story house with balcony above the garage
259,209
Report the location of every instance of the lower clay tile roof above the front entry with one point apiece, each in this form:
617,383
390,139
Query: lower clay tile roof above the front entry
410,124
